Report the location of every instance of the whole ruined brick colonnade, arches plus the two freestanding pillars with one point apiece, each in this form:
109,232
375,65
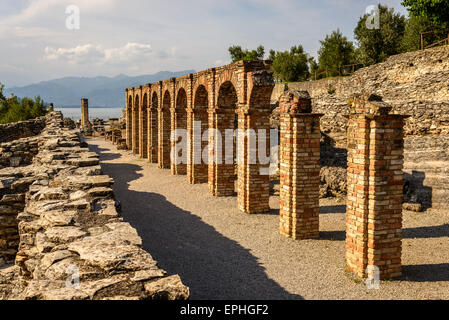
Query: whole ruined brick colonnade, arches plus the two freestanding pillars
218,98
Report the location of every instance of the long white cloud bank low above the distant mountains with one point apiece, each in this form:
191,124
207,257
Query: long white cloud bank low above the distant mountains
89,53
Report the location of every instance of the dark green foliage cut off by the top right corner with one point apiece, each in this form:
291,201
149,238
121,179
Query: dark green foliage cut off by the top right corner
435,10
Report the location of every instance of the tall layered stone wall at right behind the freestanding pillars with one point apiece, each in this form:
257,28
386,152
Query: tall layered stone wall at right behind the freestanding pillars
414,83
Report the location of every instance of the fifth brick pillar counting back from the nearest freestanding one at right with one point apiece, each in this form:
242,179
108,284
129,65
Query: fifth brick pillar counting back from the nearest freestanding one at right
197,125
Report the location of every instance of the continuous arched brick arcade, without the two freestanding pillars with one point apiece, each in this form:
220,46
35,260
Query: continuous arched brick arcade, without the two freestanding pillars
212,99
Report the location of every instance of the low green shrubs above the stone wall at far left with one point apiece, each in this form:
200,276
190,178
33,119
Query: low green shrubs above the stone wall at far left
13,109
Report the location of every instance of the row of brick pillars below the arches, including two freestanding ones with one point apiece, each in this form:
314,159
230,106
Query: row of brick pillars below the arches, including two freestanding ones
374,169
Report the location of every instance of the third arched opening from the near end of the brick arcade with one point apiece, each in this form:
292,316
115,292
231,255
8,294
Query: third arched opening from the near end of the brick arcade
179,128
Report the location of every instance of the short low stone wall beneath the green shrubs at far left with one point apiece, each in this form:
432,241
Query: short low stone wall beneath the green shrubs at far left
21,129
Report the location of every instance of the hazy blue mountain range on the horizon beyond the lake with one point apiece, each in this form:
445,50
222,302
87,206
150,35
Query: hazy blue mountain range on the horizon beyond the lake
101,91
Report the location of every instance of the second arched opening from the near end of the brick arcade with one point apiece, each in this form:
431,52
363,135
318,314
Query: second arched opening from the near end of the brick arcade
198,124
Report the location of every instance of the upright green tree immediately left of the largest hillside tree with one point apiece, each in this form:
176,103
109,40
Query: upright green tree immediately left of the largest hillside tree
335,52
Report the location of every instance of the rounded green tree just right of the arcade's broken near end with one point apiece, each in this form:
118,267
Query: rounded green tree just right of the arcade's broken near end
290,65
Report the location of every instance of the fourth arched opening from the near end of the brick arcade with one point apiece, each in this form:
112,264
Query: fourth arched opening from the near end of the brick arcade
164,131
